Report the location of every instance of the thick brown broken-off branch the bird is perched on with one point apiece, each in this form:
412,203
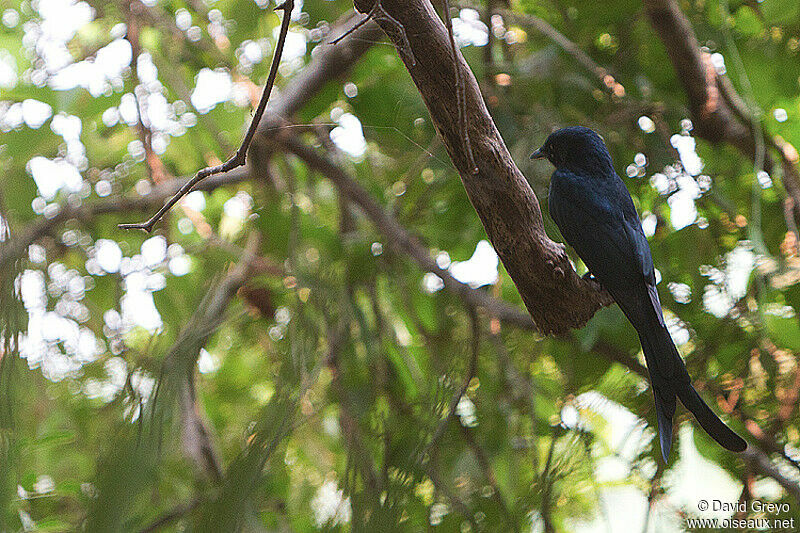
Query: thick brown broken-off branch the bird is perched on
556,297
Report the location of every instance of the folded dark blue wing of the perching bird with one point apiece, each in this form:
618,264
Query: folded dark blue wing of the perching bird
599,220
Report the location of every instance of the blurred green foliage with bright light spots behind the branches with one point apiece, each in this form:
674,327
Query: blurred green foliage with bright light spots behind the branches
322,388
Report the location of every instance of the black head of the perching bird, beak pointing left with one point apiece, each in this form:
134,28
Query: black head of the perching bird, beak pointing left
576,148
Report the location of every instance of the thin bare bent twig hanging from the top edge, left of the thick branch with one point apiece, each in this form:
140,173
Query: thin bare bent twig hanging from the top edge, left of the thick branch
241,154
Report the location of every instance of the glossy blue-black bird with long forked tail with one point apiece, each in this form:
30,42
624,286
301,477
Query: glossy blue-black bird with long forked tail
596,216
